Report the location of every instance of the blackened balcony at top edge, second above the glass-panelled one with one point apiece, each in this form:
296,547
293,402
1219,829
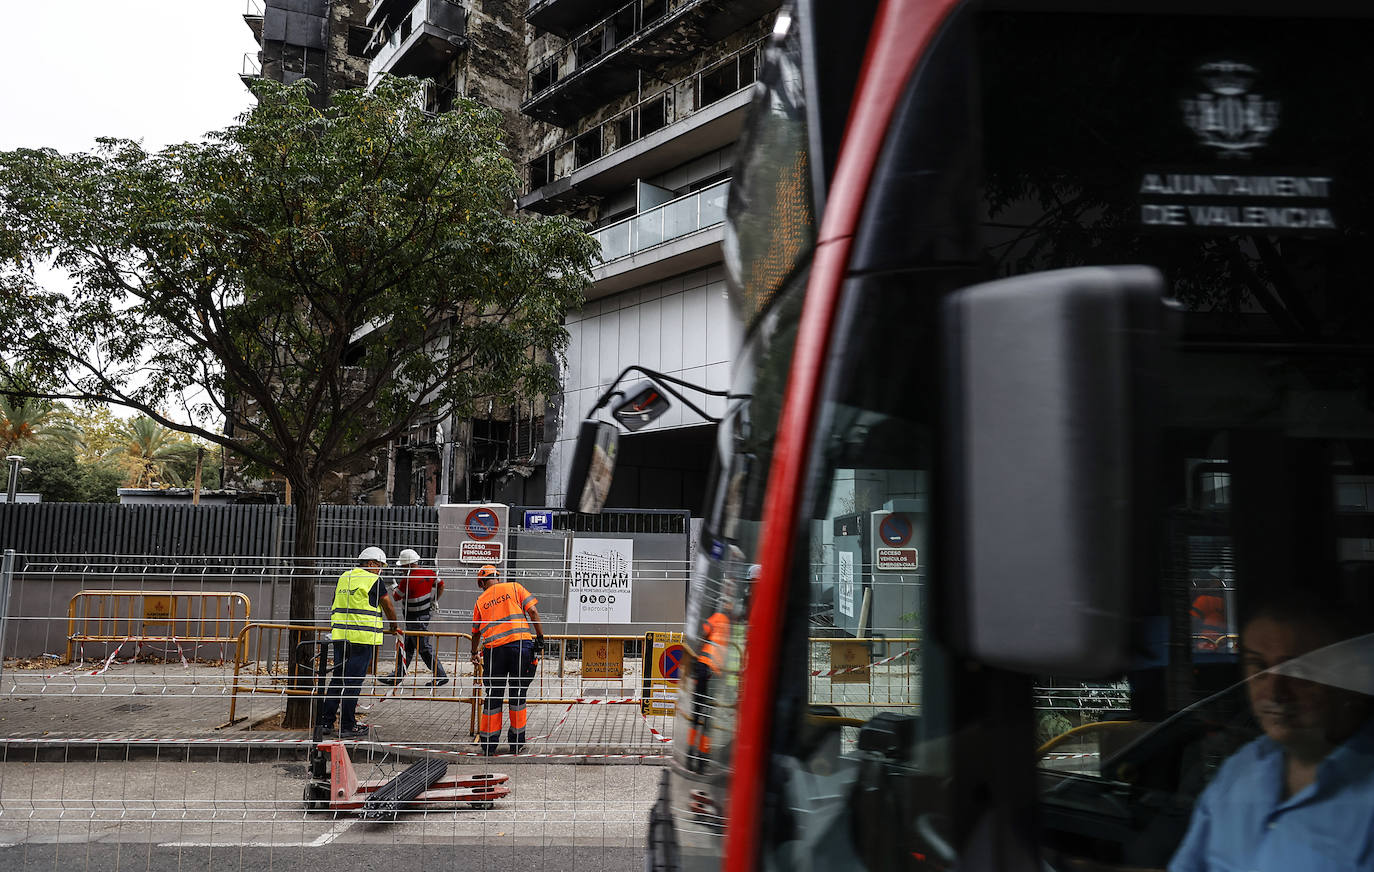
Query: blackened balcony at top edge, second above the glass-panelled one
608,58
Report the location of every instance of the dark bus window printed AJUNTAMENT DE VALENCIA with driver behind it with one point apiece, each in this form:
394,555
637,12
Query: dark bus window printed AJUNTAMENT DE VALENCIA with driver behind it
1230,153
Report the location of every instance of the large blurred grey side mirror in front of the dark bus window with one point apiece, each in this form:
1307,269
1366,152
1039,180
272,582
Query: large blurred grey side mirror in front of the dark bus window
1052,385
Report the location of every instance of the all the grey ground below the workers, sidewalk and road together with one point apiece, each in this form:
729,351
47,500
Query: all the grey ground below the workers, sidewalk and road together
138,768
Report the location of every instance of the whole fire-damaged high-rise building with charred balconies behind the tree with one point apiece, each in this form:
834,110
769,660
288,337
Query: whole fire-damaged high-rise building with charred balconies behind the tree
624,116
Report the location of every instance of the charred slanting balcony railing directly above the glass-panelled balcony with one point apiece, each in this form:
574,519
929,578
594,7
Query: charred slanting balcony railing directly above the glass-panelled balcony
681,101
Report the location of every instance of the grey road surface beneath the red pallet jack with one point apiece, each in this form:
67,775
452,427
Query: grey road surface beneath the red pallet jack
153,815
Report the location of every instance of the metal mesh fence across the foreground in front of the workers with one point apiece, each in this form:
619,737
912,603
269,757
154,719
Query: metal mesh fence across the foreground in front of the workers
141,728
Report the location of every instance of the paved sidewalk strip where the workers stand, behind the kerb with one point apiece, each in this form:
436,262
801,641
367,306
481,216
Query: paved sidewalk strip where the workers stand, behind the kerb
156,709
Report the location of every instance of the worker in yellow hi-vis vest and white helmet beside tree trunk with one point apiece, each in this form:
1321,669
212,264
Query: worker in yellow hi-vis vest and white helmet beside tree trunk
357,630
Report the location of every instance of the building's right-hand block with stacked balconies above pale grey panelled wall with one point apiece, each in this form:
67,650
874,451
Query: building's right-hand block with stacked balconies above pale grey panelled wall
634,111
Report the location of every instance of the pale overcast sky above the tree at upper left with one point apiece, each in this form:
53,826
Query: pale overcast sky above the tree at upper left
155,71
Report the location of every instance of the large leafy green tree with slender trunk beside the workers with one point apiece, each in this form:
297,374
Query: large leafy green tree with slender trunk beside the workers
314,279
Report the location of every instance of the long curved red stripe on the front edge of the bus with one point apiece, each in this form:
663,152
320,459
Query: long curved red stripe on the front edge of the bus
902,34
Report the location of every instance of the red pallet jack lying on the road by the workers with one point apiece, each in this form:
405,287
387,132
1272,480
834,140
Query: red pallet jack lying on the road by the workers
336,788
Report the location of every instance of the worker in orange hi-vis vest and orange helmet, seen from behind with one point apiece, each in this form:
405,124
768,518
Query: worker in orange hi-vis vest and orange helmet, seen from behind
502,624
